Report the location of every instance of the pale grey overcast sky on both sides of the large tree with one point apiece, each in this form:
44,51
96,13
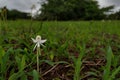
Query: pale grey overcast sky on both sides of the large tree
25,5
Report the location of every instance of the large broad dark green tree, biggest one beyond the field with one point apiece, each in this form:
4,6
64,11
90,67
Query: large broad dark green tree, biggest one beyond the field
71,10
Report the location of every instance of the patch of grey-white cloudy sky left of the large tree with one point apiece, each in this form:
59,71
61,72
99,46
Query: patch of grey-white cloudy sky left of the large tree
22,5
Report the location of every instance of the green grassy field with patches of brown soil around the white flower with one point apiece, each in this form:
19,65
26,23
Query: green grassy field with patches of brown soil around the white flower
74,50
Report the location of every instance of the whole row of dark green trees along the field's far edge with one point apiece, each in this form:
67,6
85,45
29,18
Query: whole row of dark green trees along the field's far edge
66,10
